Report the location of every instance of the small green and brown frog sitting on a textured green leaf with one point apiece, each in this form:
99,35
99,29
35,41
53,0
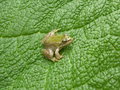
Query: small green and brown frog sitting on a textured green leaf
53,43
